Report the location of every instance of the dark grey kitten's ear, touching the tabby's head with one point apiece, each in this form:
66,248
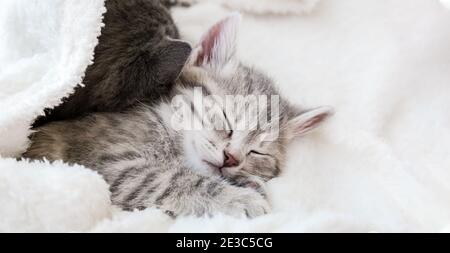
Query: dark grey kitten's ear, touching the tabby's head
170,60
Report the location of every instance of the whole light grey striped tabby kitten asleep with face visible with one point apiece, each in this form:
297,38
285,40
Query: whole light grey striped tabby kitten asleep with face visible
151,159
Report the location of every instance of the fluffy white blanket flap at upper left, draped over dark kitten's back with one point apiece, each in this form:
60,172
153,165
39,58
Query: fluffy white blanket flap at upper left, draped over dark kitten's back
42,59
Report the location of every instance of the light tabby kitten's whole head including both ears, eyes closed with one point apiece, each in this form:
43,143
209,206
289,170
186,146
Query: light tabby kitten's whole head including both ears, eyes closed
242,125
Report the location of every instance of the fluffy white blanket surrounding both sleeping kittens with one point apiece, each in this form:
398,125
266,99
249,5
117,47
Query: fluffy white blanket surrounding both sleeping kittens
381,164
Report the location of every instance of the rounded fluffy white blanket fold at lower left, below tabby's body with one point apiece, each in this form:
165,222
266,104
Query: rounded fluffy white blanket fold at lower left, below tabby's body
38,198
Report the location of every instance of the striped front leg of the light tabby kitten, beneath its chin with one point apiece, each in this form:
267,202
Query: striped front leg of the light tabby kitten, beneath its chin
187,193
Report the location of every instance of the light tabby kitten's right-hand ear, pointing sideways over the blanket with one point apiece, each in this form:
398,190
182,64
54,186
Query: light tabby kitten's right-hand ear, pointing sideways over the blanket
308,121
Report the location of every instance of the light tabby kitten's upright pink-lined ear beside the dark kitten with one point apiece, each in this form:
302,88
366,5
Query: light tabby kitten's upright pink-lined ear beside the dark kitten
218,46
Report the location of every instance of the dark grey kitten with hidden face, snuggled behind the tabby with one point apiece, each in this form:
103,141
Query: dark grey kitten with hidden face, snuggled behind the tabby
137,59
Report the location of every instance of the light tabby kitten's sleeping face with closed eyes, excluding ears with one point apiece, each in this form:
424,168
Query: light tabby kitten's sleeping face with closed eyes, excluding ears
231,147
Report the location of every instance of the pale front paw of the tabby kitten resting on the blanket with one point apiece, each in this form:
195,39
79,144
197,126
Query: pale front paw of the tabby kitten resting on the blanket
246,202
